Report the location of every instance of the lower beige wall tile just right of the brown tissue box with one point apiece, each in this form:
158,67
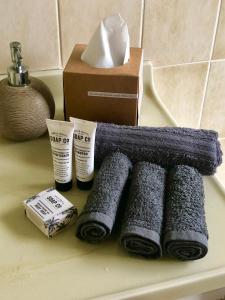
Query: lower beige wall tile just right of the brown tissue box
181,88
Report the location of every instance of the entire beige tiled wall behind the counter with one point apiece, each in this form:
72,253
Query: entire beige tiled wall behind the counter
184,39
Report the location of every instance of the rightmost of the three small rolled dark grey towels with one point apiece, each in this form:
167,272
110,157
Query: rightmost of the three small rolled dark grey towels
185,230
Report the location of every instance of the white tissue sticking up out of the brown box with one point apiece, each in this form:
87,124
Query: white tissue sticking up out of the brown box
110,45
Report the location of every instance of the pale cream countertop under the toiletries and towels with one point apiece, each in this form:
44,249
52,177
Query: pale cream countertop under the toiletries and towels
35,267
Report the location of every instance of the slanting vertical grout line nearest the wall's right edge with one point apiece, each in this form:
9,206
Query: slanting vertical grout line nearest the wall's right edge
209,66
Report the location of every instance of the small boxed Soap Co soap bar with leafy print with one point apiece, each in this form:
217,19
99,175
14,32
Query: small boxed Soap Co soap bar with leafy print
50,211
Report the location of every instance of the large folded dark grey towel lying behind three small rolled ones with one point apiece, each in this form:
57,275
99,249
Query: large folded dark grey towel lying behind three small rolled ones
165,146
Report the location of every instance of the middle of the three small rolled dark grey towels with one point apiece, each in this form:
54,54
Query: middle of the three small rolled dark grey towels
142,224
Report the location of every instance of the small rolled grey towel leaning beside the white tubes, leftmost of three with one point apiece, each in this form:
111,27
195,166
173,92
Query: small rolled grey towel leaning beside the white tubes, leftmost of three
98,216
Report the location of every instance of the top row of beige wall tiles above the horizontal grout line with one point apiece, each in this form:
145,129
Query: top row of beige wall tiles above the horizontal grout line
171,31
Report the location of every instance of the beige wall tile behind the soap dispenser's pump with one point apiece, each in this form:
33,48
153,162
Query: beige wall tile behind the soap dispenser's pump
35,24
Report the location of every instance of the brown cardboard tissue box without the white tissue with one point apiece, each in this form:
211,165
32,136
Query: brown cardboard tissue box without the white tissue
105,95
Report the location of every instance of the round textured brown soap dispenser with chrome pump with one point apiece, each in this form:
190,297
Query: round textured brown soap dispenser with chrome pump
25,102
